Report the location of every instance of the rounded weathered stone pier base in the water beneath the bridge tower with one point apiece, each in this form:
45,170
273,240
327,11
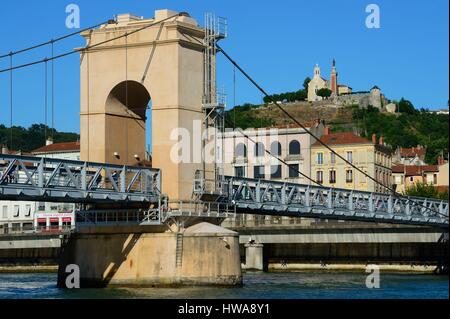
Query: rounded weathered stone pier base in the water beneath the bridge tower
203,254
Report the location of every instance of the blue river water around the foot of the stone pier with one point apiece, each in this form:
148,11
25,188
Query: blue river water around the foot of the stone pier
257,285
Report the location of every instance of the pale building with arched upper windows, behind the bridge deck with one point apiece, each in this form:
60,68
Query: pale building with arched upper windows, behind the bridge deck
244,158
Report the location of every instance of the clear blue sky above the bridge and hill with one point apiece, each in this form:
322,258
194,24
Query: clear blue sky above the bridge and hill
277,42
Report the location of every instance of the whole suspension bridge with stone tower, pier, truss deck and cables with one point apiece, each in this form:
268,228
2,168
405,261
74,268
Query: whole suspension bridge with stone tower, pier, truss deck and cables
170,61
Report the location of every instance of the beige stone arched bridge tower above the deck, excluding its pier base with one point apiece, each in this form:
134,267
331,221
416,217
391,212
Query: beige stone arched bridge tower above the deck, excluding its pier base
161,66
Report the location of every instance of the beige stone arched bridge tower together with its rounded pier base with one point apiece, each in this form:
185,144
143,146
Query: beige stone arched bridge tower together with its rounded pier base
161,66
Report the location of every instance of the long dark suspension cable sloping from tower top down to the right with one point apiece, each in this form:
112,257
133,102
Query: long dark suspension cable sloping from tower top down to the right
313,135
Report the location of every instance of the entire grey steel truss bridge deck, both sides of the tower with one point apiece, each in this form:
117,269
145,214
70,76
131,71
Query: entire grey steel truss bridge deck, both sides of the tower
55,180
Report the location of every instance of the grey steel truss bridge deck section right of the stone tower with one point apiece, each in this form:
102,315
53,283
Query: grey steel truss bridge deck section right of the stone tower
265,197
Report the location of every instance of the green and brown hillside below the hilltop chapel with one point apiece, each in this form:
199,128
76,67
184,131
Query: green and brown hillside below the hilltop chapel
407,128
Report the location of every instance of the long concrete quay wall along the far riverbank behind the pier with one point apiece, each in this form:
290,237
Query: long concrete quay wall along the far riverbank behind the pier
282,248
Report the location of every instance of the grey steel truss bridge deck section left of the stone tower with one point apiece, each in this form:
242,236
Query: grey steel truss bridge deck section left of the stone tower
56,180
